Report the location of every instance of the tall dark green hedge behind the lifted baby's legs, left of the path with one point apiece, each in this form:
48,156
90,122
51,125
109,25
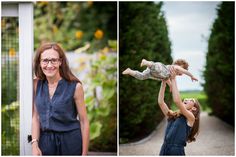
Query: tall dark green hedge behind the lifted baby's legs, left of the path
143,34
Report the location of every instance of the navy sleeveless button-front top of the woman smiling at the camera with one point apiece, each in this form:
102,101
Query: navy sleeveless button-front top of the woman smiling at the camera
58,113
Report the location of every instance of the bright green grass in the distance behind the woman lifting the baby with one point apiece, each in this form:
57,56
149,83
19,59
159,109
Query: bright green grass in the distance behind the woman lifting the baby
199,95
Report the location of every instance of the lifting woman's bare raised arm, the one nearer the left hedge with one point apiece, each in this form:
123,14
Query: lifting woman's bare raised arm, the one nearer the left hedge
161,102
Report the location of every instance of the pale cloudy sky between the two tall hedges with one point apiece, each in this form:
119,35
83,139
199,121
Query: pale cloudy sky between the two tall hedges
189,25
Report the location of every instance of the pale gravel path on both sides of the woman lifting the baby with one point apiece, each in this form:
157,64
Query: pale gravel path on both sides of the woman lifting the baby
215,138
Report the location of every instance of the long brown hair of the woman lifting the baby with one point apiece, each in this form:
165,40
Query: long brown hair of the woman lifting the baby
195,129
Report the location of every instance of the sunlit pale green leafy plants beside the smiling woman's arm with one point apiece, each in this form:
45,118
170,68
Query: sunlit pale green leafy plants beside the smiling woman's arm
102,109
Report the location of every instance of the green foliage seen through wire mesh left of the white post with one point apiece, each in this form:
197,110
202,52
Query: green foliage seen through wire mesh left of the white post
9,83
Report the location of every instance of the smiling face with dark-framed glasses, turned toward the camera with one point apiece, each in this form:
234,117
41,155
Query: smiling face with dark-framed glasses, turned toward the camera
50,63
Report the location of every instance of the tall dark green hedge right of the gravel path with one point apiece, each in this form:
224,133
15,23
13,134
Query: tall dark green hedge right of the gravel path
219,73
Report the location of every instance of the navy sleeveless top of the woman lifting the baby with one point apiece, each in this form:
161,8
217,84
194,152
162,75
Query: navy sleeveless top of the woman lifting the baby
177,131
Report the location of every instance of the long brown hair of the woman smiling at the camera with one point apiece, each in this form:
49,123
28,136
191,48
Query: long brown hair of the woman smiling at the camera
64,69
